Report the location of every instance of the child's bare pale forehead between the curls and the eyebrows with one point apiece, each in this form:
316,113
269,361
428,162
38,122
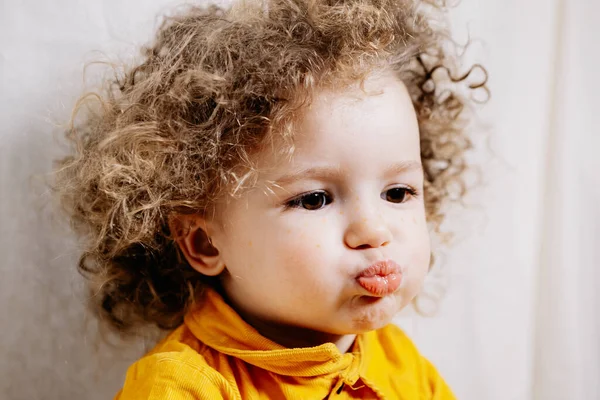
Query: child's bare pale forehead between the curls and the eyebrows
353,127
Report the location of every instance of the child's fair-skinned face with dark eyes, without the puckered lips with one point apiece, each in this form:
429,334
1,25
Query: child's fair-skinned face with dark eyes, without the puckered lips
294,260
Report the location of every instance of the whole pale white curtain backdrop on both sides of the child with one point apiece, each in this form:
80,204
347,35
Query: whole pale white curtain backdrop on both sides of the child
520,318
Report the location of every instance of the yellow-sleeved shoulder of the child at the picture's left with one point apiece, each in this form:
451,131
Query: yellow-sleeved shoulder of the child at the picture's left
174,370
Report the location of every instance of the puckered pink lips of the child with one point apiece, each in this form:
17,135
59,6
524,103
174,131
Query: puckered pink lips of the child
381,279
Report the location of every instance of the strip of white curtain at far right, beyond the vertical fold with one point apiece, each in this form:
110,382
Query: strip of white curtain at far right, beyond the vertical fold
567,338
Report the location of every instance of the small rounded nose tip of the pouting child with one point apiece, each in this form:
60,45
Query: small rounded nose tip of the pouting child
367,231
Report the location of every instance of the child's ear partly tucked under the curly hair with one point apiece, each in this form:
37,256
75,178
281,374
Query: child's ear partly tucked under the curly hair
192,236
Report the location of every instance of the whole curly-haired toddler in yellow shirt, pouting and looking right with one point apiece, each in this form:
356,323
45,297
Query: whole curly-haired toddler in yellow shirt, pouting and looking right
262,186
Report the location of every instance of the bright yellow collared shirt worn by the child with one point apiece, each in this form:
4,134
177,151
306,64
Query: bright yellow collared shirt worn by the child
217,355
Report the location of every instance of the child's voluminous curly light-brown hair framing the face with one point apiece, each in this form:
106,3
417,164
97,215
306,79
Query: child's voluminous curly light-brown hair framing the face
176,132
